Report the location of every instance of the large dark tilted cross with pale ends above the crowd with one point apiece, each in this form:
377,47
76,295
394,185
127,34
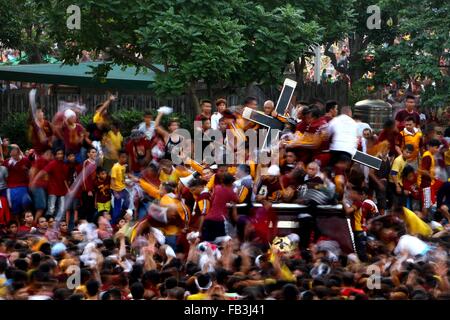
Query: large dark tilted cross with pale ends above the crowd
270,122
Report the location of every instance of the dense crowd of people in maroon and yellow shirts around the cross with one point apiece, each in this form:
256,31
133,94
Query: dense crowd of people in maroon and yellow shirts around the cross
89,214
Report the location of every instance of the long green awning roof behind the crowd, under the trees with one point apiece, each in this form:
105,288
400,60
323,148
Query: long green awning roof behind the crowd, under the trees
77,75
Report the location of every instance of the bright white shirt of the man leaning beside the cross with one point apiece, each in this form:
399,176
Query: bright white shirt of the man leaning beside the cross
343,130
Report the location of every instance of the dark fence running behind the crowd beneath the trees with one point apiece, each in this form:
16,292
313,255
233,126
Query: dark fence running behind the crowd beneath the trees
15,101
